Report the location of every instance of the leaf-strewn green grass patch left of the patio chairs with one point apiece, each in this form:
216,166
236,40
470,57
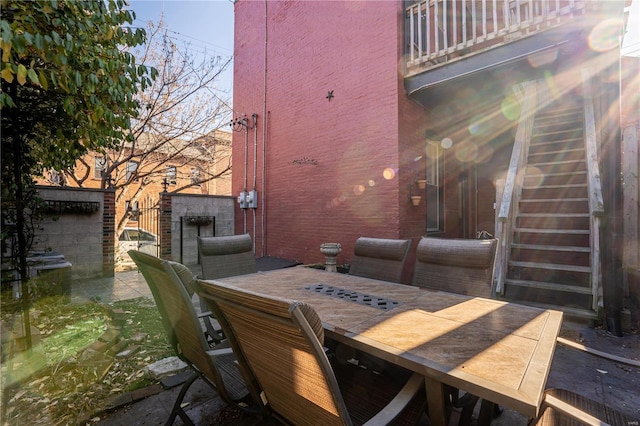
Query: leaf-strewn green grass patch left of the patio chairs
54,384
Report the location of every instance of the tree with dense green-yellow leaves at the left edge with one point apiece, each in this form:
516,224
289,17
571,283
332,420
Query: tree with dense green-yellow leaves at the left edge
68,86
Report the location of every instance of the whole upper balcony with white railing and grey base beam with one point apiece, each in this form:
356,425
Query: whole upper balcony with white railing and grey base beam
455,39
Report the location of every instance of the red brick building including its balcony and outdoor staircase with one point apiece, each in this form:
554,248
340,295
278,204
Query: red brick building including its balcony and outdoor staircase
342,107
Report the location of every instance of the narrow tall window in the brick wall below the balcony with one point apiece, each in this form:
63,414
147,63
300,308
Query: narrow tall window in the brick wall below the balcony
435,188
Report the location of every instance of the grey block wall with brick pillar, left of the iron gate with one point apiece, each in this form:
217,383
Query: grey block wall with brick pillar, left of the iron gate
76,229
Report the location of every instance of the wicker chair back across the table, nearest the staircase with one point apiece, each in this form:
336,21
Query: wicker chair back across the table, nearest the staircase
456,265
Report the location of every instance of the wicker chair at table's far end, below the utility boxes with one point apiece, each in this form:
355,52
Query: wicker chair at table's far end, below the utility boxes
222,257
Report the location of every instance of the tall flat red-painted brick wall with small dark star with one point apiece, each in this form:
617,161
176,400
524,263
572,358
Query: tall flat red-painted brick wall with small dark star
325,159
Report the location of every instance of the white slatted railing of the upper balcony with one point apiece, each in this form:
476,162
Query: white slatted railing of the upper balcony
442,30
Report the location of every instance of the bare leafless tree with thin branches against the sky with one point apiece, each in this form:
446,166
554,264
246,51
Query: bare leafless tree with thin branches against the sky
176,124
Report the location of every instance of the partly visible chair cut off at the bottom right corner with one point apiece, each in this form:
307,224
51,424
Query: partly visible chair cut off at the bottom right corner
564,408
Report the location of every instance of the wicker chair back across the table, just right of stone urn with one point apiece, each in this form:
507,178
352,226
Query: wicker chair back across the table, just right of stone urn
379,258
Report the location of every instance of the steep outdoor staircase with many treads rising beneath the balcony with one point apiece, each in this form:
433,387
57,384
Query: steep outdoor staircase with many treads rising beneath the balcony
549,257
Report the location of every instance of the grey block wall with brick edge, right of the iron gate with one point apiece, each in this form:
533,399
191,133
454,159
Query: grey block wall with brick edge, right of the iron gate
193,215
